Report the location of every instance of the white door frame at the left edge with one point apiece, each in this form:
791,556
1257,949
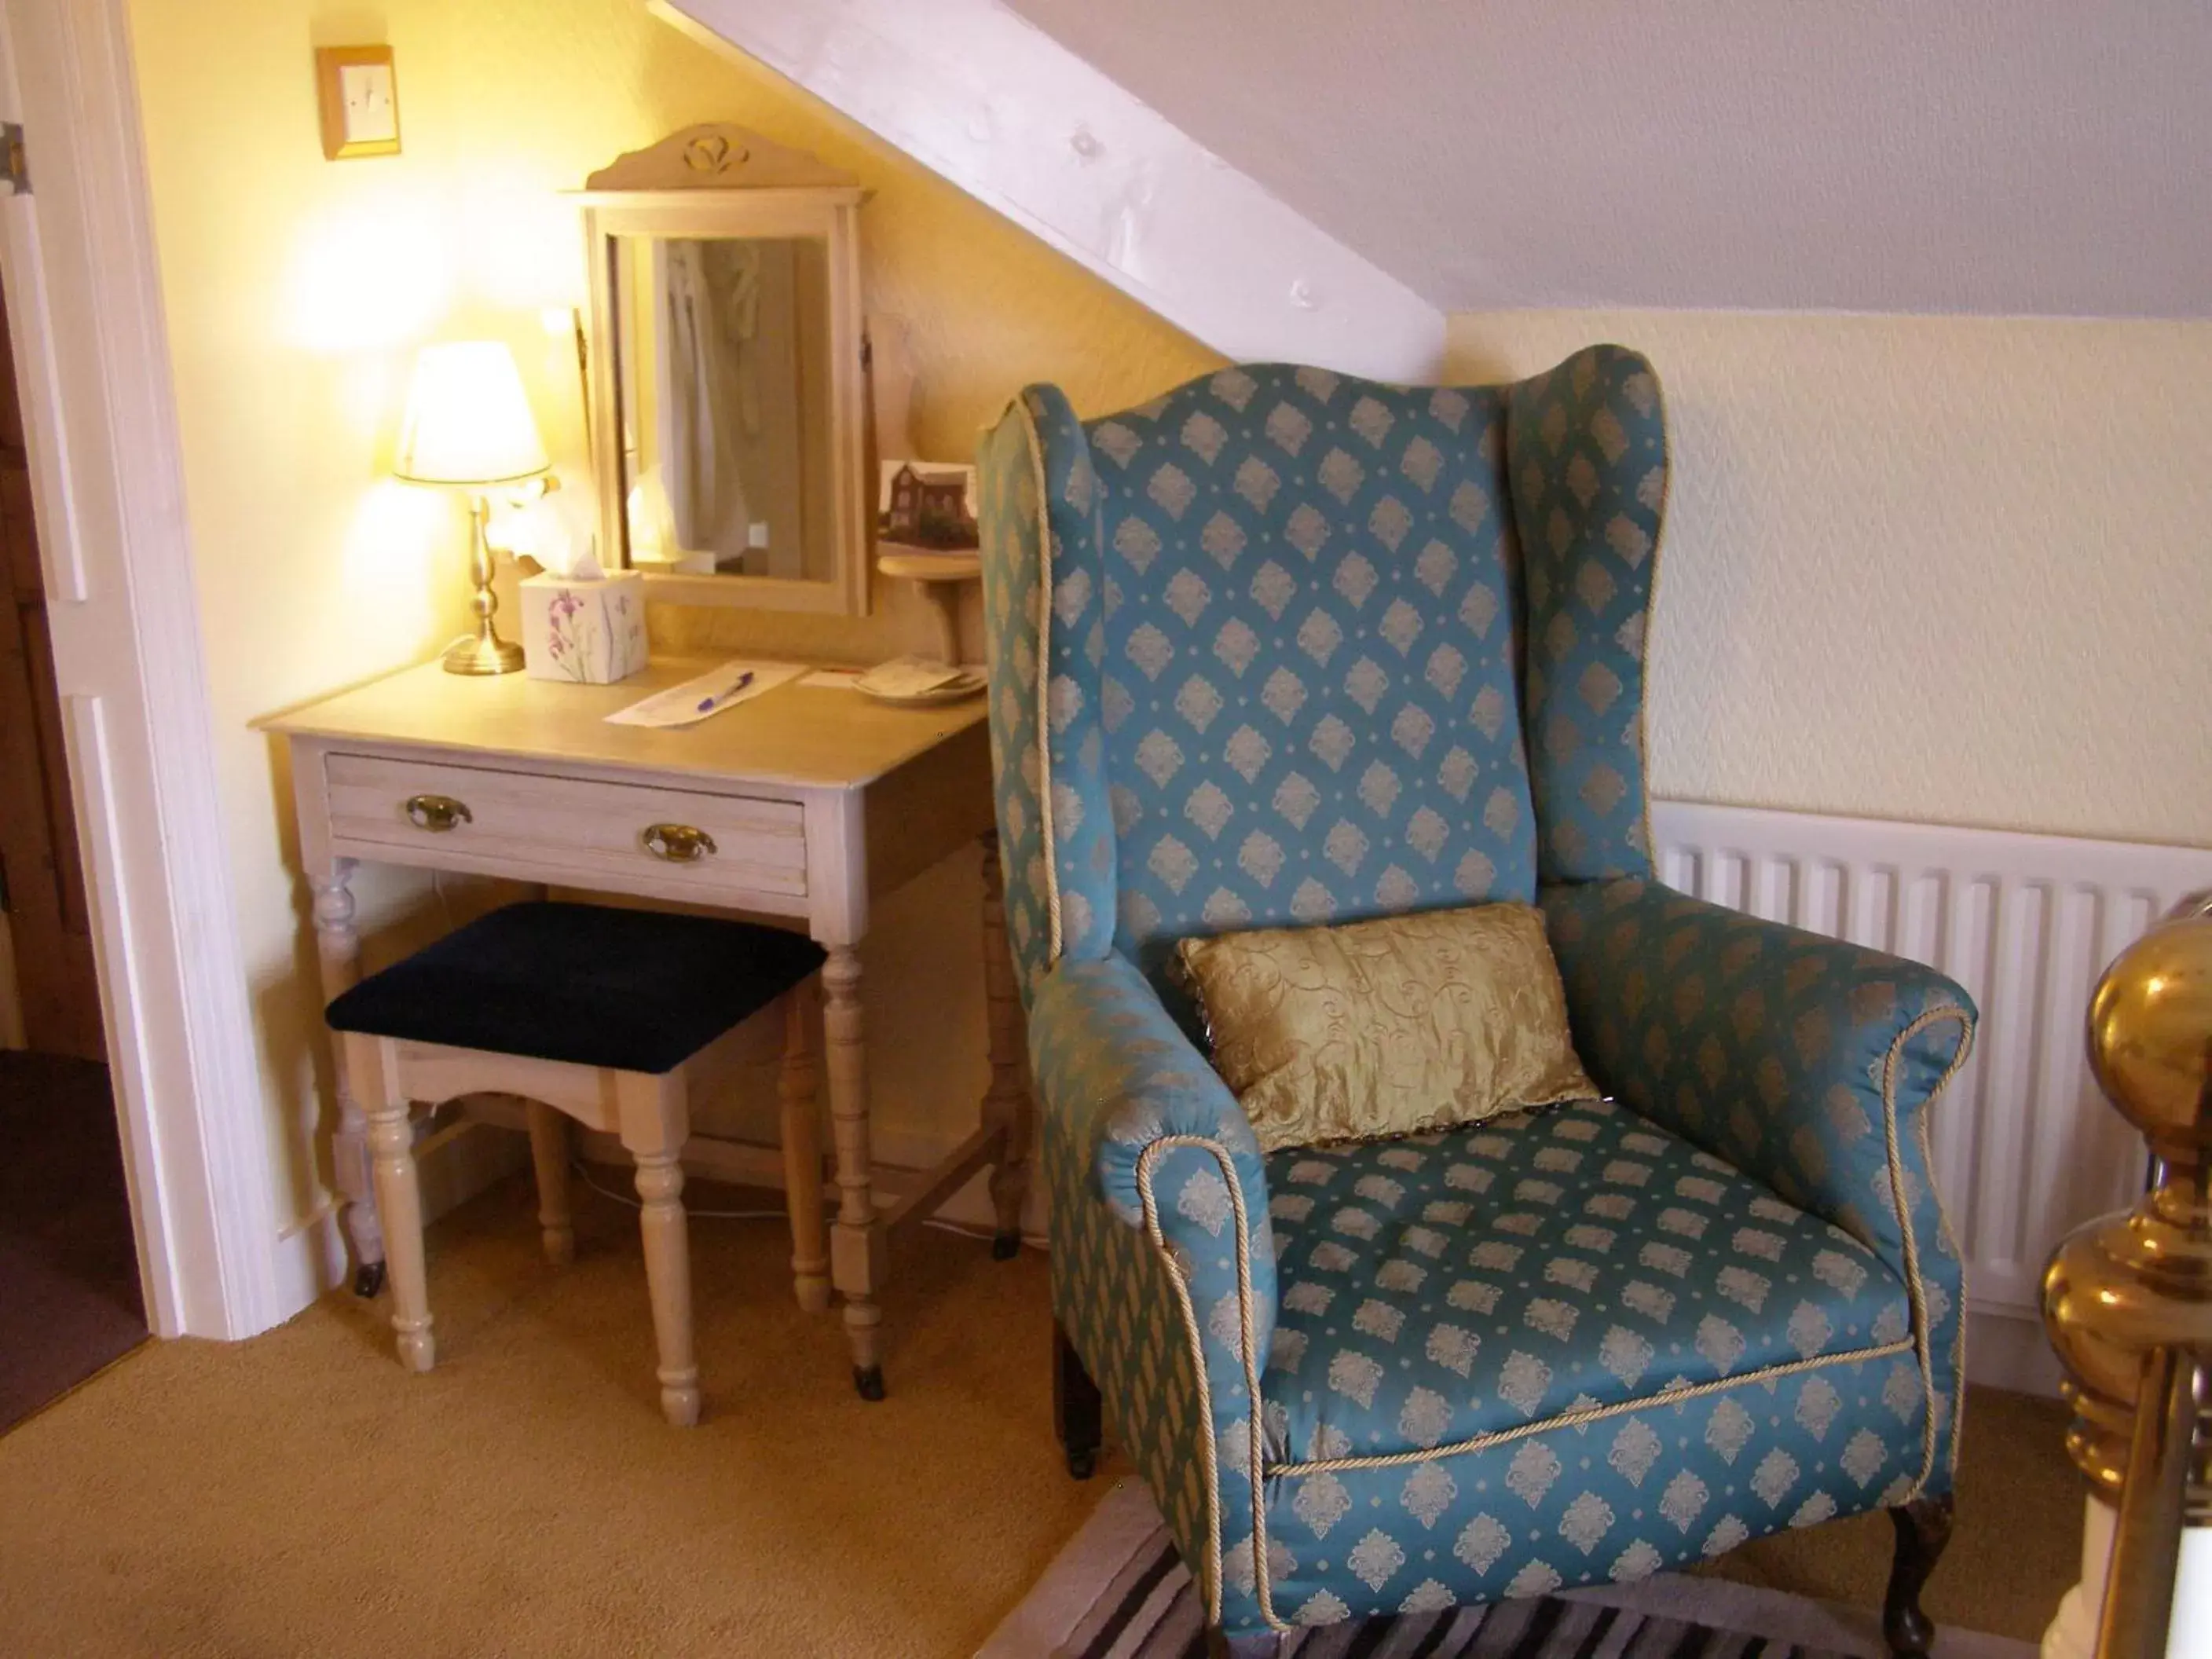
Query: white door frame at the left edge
107,488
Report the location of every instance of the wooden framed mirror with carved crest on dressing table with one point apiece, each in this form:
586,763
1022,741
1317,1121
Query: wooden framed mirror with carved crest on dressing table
727,379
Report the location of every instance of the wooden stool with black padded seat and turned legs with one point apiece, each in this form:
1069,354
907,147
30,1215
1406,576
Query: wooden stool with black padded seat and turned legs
589,1014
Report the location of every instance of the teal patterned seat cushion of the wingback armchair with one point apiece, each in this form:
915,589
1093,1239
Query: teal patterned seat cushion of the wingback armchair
1448,1288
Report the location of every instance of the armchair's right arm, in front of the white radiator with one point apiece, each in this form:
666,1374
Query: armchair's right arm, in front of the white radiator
1806,1063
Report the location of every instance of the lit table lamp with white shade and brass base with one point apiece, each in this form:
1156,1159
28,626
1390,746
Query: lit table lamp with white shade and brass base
470,428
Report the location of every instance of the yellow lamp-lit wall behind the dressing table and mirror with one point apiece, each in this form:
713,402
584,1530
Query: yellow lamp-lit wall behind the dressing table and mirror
298,291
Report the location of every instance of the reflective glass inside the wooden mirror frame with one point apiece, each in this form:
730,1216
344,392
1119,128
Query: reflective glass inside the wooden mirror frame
724,401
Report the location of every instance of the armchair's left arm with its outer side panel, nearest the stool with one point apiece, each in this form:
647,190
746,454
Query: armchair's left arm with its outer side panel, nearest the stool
1162,1255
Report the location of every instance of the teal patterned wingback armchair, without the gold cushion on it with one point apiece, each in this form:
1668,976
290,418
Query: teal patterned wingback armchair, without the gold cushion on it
1288,647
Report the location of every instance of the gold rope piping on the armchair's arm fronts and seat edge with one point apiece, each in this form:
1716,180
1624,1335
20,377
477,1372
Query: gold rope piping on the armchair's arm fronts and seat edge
1260,1470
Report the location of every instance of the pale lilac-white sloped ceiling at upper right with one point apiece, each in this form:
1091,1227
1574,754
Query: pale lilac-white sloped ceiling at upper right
1881,156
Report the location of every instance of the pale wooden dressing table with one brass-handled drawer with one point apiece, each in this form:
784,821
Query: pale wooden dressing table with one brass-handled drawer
802,804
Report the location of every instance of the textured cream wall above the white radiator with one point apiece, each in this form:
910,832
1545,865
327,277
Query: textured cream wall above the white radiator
1937,570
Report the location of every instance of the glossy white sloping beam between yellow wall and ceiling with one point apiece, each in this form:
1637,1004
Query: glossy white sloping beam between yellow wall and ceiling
1016,121
